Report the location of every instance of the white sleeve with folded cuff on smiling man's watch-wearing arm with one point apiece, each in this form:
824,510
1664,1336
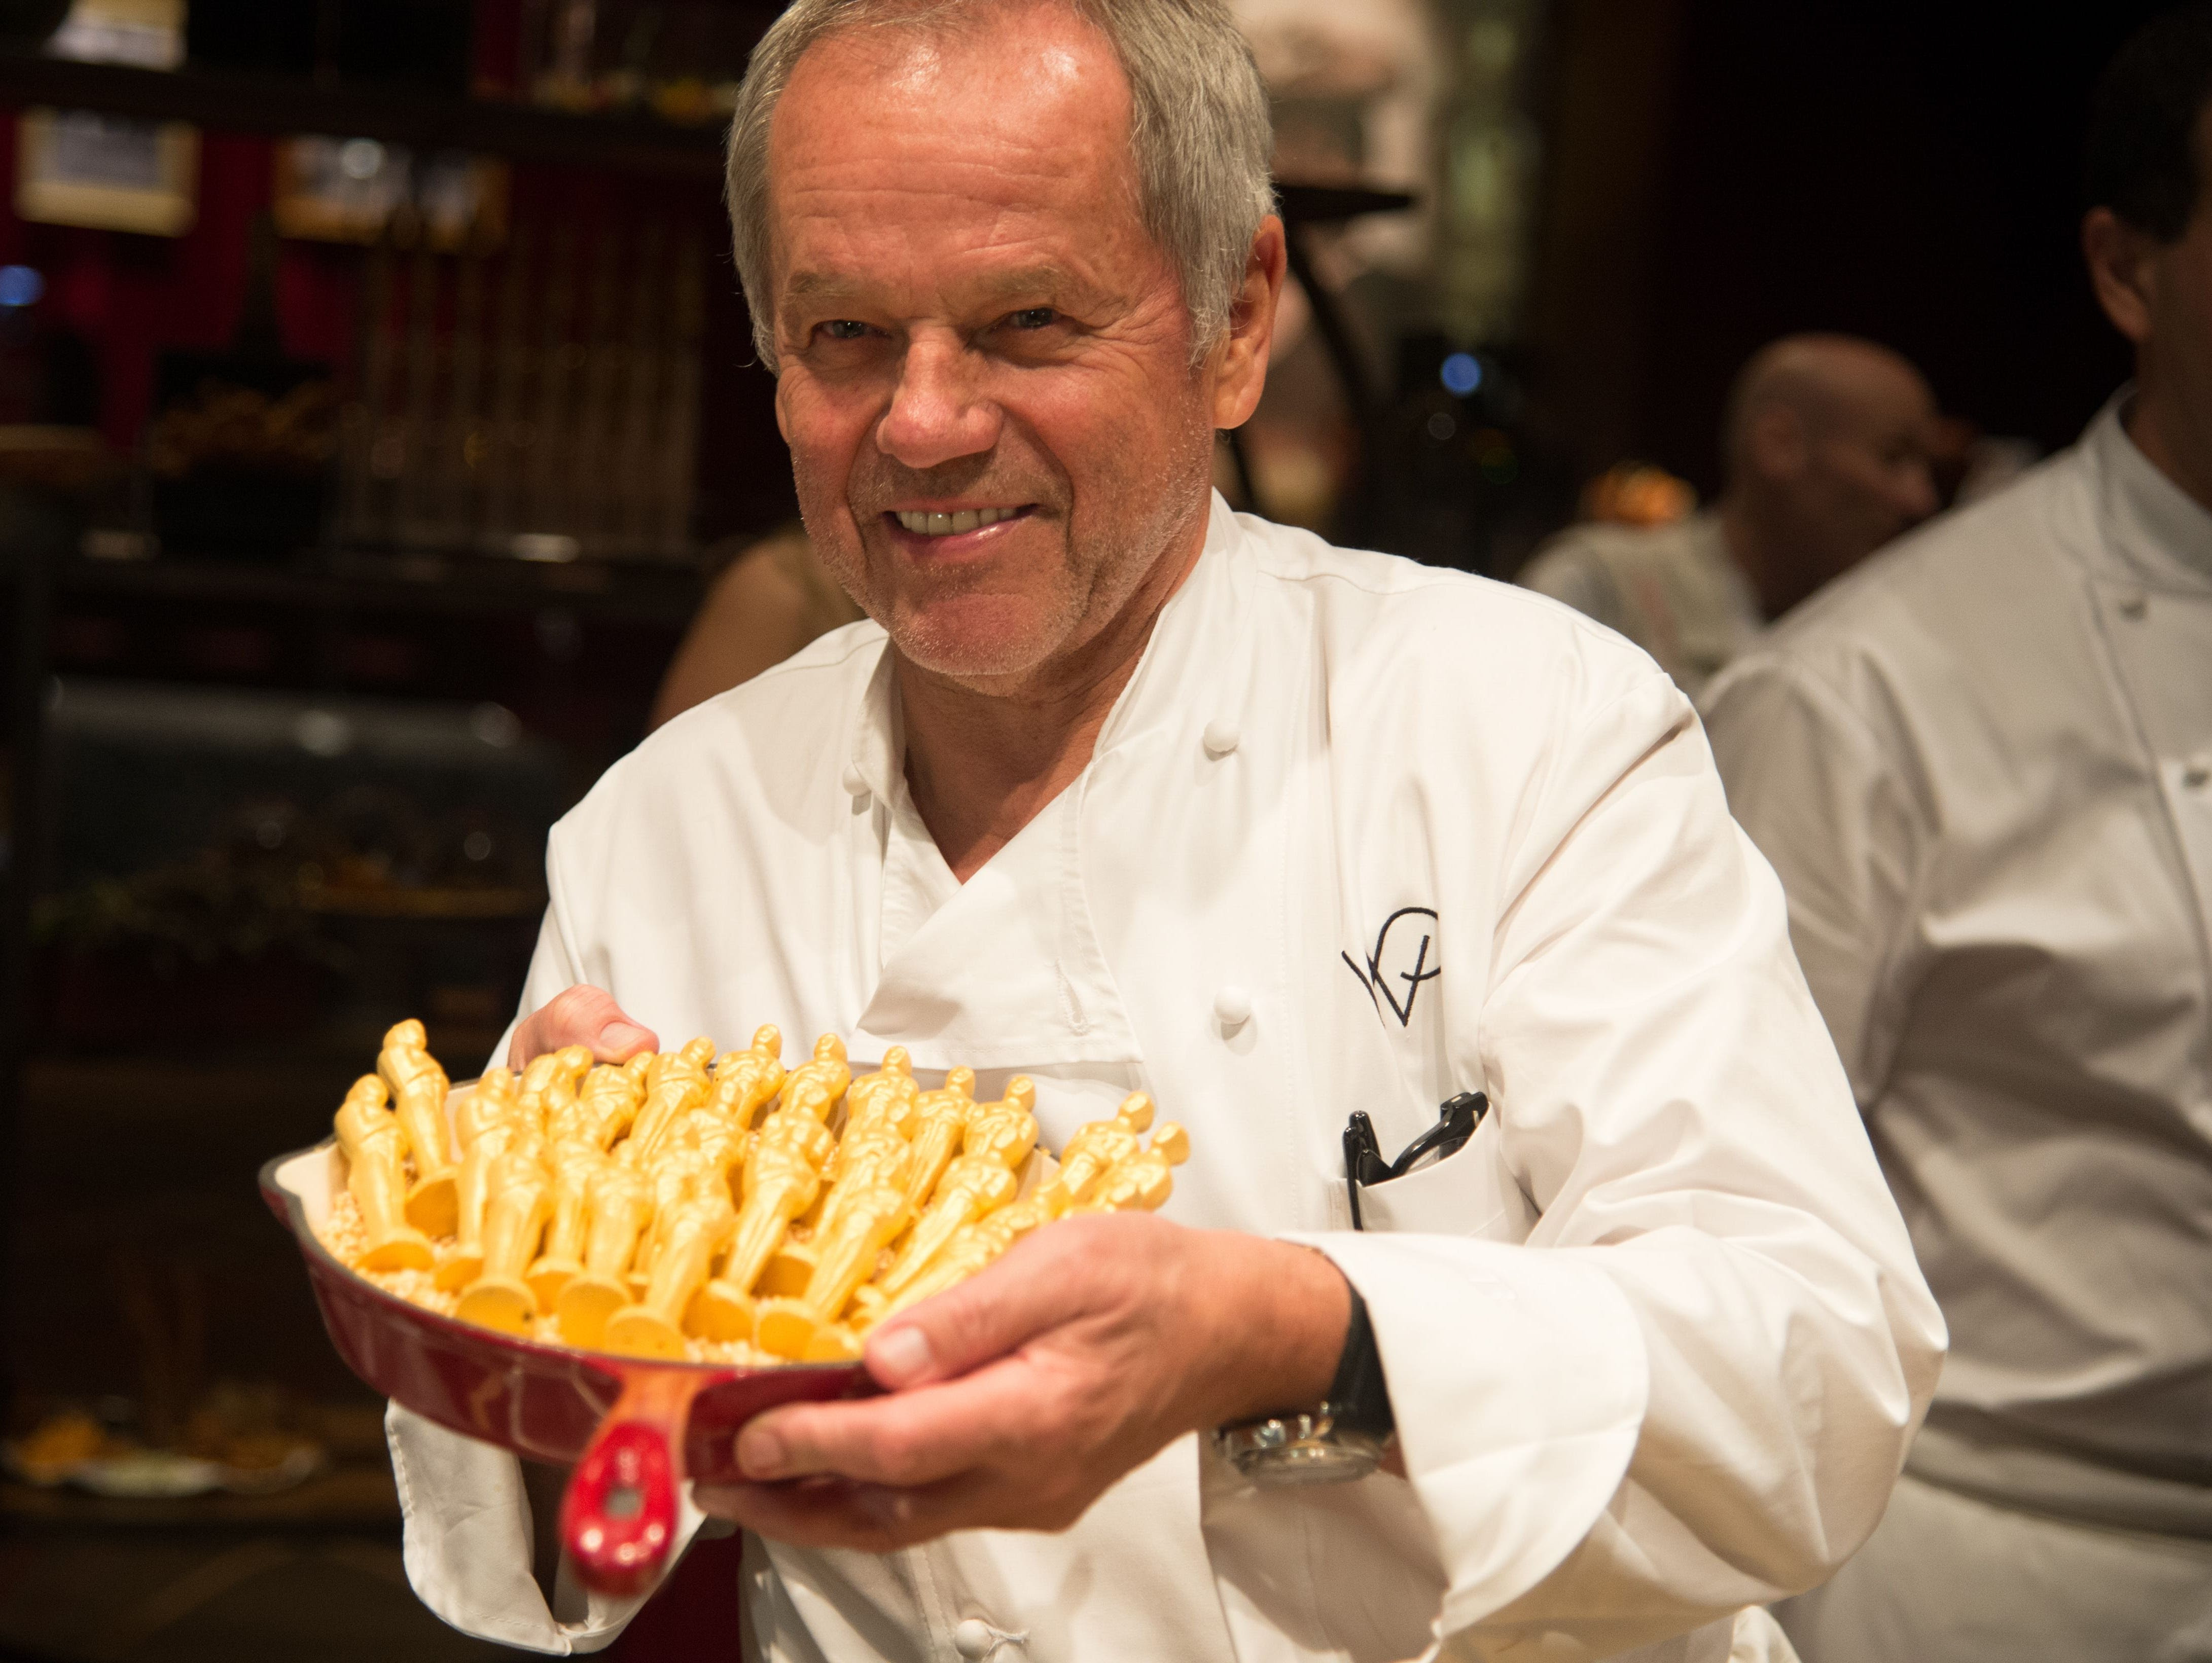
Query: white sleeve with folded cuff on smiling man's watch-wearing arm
1691,1388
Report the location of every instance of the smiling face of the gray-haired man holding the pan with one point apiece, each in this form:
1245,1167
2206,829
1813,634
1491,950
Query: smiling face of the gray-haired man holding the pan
985,359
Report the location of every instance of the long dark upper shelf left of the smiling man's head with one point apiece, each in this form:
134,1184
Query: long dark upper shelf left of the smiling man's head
249,103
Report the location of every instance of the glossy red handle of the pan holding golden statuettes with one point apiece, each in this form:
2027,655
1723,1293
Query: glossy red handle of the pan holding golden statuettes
620,1514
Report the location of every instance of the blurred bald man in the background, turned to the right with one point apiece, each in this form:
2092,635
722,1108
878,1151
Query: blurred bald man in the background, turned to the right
1824,454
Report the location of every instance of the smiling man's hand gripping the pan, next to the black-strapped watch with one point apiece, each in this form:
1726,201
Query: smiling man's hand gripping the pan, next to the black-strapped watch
1023,1394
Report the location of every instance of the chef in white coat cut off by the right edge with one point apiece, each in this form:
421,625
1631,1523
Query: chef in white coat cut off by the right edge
1983,768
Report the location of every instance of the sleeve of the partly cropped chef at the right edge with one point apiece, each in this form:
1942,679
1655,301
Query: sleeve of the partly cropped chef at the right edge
1826,802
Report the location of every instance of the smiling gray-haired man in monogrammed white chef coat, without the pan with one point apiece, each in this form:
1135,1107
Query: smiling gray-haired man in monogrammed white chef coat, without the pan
1123,791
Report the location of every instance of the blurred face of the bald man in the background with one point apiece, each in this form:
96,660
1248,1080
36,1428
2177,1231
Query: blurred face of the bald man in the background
1866,477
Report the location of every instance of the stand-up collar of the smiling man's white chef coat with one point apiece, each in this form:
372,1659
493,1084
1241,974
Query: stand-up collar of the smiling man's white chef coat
1189,653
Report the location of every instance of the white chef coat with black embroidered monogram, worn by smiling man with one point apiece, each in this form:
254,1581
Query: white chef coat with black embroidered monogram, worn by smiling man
1357,835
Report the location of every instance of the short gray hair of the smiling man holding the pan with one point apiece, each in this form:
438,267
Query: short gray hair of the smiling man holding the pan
1200,136
